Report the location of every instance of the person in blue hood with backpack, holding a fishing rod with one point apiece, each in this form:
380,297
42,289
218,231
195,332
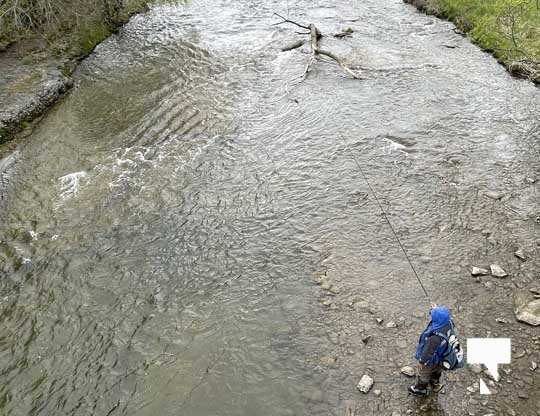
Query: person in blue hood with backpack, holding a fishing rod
438,349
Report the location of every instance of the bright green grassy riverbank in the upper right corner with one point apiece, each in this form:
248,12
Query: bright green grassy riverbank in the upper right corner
509,30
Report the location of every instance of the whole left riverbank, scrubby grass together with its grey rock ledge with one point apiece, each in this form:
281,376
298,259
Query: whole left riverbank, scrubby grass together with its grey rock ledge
38,59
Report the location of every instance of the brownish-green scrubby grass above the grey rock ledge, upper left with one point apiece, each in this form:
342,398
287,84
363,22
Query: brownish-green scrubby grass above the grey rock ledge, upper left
68,28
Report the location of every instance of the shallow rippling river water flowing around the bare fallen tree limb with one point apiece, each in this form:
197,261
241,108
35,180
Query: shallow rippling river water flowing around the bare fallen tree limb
164,225
